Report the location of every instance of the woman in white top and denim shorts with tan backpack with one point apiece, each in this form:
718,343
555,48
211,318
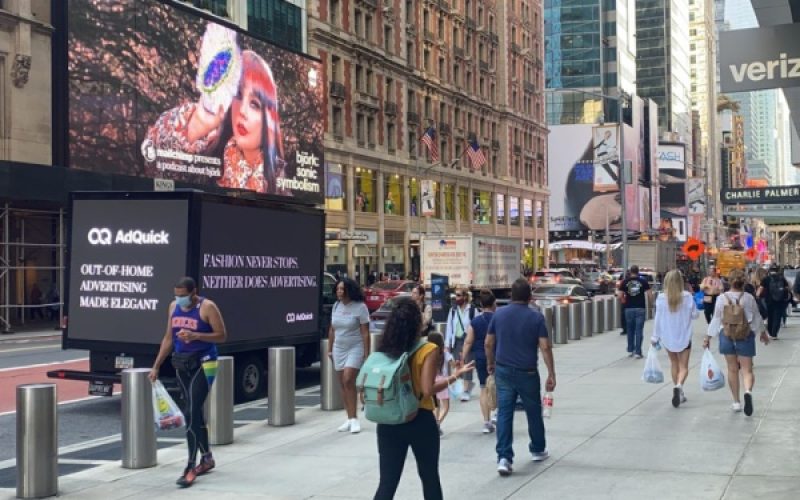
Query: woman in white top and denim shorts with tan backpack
736,319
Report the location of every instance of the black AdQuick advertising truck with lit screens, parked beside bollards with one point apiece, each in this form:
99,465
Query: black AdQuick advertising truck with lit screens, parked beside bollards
259,261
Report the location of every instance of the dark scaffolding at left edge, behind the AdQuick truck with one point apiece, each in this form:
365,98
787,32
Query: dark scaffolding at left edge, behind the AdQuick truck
32,245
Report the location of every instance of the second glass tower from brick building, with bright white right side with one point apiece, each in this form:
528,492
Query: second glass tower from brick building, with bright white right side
662,64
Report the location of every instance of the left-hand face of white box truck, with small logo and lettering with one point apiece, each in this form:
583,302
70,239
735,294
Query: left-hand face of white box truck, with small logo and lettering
451,257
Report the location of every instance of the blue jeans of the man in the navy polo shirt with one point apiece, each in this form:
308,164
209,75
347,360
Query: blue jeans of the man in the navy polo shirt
511,383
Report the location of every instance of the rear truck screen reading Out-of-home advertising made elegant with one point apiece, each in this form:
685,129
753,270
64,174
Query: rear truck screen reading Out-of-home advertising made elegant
125,257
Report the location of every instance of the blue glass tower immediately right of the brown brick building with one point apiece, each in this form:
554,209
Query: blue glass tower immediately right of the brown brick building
589,47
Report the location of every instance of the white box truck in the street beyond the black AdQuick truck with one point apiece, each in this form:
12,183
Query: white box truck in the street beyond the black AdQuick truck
473,261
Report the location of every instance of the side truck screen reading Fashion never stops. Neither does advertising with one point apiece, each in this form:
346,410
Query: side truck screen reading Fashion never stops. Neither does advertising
262,268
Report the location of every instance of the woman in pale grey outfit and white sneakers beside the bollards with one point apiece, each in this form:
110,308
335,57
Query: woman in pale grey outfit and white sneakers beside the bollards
348,345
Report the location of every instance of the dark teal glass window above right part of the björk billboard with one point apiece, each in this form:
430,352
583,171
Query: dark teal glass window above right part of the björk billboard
276,20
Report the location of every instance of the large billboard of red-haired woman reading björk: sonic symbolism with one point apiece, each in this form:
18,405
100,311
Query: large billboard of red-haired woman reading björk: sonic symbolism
160,92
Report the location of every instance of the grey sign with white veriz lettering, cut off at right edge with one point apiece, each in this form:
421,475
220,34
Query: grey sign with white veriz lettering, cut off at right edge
759,58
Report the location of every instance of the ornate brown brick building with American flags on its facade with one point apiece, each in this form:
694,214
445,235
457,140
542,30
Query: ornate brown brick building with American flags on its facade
468,71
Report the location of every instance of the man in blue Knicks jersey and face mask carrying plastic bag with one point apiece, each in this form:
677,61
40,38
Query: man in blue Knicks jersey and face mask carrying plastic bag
194,329
